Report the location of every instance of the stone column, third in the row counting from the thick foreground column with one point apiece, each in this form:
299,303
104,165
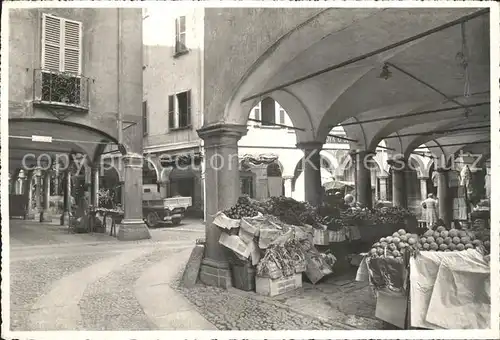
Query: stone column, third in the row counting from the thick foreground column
363,178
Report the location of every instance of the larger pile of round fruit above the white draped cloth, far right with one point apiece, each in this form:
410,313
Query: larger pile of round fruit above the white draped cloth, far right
452,240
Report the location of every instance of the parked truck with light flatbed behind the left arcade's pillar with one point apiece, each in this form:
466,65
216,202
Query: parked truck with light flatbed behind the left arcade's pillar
158,211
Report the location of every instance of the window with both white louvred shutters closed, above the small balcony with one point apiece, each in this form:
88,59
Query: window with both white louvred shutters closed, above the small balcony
61,44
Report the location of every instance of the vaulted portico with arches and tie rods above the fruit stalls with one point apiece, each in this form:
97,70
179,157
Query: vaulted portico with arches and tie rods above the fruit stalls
321,87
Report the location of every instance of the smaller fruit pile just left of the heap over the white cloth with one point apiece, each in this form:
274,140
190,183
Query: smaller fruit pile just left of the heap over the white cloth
395,245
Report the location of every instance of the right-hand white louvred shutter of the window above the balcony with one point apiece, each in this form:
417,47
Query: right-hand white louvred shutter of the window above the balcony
72,46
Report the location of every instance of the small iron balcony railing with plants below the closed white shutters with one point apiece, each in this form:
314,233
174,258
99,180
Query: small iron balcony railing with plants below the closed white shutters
62,89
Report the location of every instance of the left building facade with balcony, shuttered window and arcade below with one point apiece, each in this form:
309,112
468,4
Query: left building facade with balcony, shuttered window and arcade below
75,91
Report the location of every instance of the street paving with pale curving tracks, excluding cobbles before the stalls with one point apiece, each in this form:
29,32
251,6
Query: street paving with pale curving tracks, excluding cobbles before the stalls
100,285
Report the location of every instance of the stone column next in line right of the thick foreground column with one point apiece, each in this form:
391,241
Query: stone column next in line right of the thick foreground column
312,171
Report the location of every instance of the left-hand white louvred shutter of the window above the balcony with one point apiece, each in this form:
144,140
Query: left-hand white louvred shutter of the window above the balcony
51,43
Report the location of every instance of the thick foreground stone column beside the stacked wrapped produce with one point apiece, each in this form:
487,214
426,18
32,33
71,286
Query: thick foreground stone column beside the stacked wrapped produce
222,185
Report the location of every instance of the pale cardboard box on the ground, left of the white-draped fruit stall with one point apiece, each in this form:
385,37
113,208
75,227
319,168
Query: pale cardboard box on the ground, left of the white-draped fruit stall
391,307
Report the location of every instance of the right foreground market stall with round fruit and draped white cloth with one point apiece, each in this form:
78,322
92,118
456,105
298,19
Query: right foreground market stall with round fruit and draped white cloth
440,280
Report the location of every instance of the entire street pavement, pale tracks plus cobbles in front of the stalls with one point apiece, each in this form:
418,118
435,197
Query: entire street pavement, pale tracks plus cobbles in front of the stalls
63,281
